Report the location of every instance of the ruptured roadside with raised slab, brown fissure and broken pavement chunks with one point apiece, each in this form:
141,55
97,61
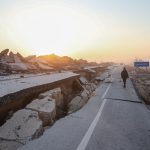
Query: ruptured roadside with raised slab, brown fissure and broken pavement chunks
28,117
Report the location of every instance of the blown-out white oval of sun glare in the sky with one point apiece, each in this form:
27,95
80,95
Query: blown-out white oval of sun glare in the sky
53,29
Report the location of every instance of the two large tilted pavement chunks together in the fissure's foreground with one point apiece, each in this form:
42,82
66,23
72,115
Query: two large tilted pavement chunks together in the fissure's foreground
29,123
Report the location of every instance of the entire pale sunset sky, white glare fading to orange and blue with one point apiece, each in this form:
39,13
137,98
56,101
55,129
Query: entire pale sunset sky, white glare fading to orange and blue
93,30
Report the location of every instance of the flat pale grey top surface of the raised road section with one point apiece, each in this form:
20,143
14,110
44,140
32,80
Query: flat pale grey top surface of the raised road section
15,85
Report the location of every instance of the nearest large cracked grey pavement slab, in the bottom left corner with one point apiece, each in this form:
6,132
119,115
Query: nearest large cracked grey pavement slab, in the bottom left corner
24,125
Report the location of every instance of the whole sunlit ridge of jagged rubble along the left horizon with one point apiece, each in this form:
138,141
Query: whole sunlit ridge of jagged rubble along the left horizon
16,63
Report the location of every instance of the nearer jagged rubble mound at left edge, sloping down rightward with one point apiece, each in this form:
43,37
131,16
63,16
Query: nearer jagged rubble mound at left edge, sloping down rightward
14,63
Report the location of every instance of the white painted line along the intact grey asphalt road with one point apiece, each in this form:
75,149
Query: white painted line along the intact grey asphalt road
87,136
